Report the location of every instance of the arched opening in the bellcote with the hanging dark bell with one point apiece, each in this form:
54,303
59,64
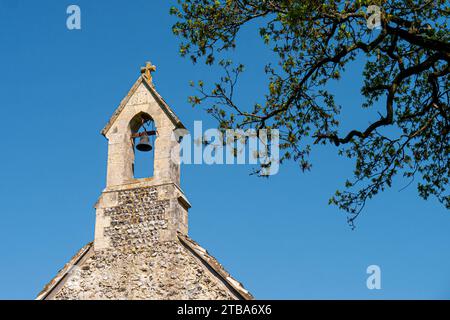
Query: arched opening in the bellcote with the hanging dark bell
141,125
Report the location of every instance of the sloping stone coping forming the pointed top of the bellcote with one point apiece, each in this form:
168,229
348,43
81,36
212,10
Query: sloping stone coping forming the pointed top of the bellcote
164,106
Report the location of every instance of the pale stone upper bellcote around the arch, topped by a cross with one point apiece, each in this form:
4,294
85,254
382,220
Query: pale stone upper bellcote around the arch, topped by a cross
142,102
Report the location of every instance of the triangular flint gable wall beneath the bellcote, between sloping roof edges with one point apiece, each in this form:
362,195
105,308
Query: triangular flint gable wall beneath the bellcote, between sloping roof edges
166,271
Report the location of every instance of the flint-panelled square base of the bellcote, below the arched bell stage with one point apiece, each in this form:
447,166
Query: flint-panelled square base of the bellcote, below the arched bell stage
132,219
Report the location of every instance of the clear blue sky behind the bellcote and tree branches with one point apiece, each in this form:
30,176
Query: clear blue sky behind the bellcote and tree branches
278,236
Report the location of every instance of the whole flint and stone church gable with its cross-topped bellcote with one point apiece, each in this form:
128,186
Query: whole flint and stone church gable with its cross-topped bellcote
141,249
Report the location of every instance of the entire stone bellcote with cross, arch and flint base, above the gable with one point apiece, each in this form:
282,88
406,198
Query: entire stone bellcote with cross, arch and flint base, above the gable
131,213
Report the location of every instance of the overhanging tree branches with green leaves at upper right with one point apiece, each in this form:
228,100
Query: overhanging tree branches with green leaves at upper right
406,73
